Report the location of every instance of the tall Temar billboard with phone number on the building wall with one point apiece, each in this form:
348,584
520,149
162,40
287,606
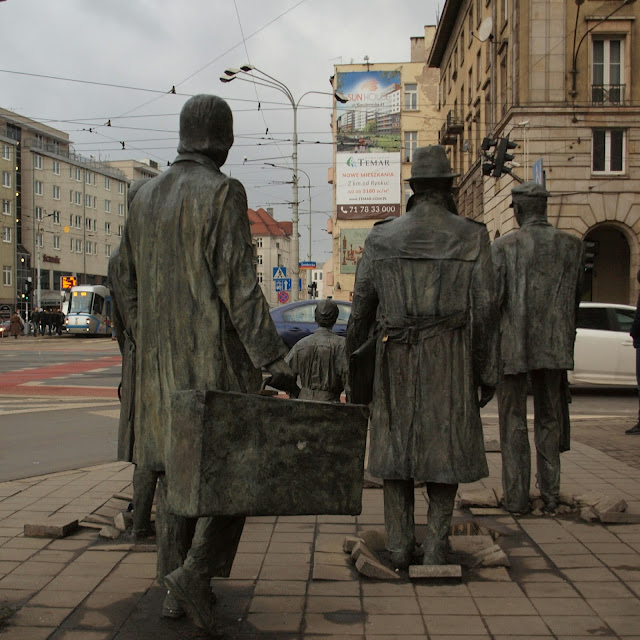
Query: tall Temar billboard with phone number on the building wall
368,157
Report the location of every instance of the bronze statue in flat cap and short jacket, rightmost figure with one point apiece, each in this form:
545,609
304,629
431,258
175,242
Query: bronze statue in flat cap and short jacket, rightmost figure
539,279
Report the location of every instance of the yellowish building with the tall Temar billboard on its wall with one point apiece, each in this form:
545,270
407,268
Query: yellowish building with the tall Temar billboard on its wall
392,110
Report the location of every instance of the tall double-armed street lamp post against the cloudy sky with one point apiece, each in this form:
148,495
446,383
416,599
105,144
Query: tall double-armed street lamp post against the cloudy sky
266,80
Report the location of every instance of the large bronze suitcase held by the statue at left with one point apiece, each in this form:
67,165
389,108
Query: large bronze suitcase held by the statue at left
245,454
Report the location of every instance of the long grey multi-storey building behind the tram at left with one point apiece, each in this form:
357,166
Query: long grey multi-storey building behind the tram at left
63,214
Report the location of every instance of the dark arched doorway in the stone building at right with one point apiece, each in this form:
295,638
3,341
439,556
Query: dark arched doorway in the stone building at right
608,279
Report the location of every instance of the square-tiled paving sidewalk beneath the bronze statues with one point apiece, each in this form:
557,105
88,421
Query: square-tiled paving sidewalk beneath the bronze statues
568,579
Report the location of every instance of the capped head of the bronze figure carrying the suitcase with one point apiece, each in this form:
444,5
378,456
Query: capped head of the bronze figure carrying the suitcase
206,127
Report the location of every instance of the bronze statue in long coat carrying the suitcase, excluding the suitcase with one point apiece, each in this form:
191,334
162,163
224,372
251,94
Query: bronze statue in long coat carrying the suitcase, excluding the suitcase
198,319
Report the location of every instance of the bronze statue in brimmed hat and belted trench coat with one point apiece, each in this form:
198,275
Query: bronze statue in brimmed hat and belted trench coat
425,284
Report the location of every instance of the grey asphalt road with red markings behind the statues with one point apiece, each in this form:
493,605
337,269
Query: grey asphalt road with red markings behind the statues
59,407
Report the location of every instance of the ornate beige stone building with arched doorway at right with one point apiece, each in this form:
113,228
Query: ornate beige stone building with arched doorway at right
554,76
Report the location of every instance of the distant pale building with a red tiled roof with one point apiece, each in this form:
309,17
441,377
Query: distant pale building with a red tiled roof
272,247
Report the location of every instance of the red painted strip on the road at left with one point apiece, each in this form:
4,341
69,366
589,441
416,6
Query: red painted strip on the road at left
14,382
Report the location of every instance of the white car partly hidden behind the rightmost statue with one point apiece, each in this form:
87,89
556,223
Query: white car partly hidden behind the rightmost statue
604,352
